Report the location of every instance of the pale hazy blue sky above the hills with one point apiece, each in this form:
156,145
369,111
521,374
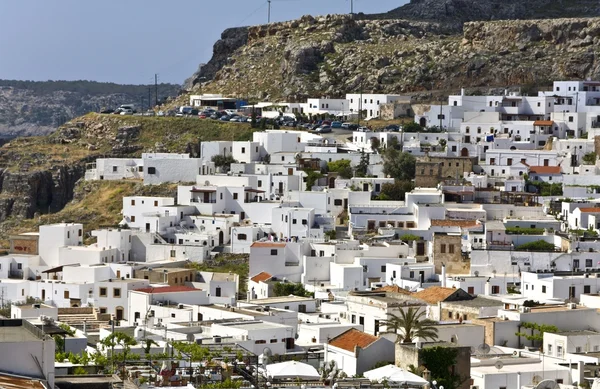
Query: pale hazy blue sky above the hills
127,41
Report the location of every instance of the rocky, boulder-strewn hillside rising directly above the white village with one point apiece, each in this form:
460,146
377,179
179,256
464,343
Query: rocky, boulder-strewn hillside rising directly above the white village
335,55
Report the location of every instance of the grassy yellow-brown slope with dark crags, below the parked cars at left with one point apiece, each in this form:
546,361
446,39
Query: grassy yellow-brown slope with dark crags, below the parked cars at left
40,175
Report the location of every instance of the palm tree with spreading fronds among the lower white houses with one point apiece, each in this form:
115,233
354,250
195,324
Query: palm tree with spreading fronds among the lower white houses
410,324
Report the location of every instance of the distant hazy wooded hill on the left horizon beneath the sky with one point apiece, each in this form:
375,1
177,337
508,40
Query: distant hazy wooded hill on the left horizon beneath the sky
37,108
